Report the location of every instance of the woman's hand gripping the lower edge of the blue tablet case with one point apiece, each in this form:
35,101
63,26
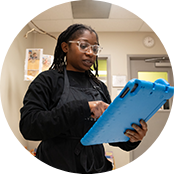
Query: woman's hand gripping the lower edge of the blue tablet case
139,132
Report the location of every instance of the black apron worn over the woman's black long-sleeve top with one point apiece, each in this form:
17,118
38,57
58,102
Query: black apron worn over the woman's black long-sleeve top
67,151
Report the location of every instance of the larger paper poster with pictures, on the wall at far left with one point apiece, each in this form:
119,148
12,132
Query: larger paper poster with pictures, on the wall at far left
33,63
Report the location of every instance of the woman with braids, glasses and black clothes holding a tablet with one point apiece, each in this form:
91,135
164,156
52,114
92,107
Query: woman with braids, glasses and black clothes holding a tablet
62,104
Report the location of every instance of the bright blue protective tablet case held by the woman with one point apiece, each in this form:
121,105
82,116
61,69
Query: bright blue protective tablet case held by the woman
138,100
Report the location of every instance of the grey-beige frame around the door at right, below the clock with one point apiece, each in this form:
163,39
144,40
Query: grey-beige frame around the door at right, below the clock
141,57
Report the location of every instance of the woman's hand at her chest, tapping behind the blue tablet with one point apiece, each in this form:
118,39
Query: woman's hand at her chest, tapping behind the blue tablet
97,108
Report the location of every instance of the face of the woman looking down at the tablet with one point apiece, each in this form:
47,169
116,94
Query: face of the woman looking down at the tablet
77,60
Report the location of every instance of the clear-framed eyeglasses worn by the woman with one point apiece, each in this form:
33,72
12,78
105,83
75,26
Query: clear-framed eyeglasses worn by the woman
85,46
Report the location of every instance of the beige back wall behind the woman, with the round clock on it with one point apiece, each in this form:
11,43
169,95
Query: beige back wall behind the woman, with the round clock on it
118,46
